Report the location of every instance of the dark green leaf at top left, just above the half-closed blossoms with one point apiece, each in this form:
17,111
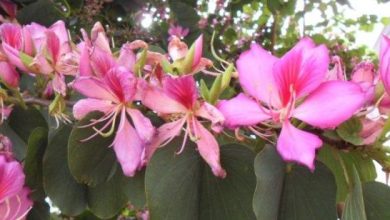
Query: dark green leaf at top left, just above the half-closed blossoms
43,12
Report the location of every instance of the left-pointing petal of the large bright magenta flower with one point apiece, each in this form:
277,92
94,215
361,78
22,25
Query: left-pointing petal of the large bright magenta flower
237,115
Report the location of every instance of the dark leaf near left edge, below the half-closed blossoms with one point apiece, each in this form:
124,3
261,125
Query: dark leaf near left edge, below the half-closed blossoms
24,121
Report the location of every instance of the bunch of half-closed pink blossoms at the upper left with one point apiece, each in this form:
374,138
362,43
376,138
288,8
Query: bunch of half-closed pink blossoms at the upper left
45,51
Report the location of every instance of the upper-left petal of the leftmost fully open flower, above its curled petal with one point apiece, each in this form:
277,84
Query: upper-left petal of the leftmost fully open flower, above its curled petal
94,88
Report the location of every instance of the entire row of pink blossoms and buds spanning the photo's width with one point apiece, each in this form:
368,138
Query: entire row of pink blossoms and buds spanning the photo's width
287,101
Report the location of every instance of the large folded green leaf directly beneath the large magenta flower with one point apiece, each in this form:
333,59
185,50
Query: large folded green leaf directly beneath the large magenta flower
295,194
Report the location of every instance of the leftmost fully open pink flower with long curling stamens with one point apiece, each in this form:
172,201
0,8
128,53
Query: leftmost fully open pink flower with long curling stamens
113,95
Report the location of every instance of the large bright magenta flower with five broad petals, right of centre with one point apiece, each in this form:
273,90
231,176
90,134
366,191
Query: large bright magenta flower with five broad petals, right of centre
291,87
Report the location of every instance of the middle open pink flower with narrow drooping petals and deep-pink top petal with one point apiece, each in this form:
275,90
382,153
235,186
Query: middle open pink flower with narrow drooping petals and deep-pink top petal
178,100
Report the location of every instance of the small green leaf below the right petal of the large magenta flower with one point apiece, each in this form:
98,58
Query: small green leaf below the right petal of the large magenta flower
349,131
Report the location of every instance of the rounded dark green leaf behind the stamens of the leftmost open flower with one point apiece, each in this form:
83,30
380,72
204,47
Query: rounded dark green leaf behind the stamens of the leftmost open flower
93,161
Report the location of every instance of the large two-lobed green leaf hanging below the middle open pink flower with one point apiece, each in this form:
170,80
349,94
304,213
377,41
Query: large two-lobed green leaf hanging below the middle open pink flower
183,187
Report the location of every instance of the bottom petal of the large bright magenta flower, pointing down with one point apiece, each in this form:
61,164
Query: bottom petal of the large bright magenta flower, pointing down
297,145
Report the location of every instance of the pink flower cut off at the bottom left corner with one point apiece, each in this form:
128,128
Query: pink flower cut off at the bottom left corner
14,201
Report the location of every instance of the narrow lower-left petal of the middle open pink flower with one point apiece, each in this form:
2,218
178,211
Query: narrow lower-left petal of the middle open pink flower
164,133
